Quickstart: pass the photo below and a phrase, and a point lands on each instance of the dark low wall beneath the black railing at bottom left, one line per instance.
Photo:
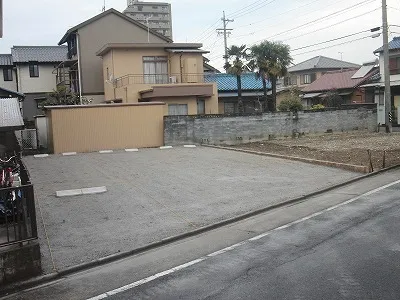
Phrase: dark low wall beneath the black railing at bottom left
(19, 263)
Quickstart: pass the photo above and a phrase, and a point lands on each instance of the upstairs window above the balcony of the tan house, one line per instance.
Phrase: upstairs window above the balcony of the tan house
(155, 69)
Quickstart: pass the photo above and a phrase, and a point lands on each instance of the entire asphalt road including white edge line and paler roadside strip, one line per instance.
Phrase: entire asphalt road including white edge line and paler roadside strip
(340, 245)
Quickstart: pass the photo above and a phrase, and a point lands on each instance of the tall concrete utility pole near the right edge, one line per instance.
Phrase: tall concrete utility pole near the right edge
(388, 97)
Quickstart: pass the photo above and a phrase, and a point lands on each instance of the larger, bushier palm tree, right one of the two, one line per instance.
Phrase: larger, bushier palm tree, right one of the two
(272, 60)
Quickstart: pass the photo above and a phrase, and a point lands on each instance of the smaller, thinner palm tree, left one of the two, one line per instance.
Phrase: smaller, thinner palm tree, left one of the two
(237, 65)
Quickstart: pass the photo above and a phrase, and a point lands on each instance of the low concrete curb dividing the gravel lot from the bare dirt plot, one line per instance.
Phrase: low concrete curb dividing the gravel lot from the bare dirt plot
(348, 167)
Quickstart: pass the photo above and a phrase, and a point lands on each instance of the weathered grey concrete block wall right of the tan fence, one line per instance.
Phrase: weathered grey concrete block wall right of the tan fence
(232, 130)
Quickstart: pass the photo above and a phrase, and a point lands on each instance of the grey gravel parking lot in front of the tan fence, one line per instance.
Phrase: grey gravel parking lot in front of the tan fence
(154, 194)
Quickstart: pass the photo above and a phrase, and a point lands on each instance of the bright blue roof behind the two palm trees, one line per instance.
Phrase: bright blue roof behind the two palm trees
(228, 82)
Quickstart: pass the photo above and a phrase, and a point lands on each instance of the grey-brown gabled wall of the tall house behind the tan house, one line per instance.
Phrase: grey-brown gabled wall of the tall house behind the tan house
(109, 29)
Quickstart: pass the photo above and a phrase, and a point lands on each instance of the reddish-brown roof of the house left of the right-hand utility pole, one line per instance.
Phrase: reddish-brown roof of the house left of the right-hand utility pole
(338, 80)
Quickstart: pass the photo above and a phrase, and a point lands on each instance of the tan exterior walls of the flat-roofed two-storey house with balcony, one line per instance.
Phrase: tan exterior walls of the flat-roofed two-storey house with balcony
(120, 62)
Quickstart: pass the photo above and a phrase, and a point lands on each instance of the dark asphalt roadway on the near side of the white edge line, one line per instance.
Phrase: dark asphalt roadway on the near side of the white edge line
(352, 252)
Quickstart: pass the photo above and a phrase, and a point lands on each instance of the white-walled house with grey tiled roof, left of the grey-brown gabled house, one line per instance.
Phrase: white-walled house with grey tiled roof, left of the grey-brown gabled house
(35, 78)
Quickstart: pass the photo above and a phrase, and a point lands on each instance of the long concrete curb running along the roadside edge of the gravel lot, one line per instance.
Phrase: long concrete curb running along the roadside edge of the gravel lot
(17, 287)
